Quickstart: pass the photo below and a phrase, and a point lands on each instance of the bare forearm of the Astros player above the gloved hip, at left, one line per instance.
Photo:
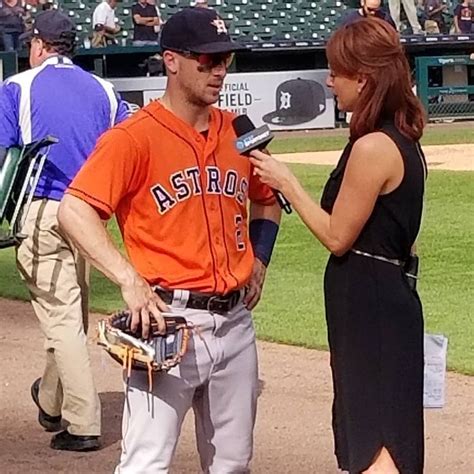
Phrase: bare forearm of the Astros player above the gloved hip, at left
(83, 226)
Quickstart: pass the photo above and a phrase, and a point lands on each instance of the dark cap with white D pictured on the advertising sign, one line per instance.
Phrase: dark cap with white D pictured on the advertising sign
(297, 101)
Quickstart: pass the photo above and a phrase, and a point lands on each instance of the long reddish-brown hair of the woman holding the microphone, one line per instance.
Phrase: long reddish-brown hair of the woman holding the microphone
(371, 48)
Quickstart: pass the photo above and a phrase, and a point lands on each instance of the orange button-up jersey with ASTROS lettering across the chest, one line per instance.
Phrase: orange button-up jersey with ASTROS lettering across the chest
(180, 199)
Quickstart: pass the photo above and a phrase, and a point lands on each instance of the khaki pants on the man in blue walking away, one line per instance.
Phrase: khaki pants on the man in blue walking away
(57, 278)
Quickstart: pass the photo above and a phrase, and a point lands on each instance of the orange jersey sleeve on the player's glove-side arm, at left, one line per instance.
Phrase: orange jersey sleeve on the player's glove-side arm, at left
(112, 171)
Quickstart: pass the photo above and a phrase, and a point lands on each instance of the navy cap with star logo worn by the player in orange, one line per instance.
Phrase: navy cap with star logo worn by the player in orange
(197, 30)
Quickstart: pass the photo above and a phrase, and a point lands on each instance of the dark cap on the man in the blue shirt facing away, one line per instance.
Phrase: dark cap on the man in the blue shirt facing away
(51, 25)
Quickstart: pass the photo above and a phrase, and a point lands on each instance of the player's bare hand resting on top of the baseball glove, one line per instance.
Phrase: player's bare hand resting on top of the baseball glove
(144, 304)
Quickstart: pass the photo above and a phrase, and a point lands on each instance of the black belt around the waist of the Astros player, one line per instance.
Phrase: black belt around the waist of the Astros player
(213, 303)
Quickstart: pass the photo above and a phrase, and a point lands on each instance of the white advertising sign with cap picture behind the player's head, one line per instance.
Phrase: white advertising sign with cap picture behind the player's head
(288, 100)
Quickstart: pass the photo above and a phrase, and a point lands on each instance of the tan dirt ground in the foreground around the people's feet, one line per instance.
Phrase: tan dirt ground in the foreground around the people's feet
(293, 432)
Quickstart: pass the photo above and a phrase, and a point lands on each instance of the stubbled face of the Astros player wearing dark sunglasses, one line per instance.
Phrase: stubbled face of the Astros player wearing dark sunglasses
(201, 76)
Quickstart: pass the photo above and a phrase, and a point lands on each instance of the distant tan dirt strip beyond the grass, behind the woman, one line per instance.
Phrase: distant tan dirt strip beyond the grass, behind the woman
(443, 157)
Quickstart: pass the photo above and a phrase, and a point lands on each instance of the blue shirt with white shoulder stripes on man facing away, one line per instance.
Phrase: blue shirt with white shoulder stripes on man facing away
(60, 99)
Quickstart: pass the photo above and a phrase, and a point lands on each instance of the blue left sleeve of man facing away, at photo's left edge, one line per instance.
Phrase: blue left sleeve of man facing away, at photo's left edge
(9, 119)
